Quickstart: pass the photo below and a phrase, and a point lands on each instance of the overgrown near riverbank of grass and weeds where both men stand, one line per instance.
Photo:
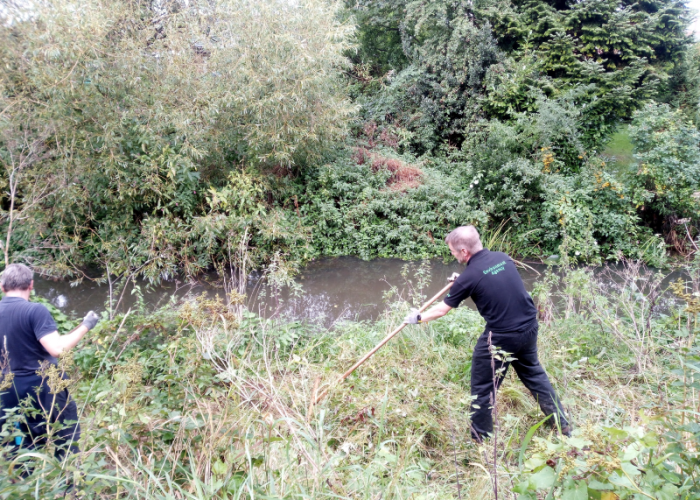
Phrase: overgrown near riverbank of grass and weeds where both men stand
(201, 400)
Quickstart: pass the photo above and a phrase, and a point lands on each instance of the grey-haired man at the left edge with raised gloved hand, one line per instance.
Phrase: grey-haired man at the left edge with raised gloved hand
(28, 338)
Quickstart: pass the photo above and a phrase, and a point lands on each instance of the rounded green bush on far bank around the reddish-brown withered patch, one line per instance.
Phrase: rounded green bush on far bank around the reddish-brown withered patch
(355, 209)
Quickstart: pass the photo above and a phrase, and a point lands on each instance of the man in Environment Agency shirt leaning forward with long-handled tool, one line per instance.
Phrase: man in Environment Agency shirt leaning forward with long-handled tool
(492, 281)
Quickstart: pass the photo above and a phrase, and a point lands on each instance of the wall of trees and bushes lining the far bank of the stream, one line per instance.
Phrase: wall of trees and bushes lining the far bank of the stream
(163, 138)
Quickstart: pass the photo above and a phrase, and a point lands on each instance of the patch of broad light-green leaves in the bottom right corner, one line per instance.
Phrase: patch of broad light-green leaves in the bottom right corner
(606, 463)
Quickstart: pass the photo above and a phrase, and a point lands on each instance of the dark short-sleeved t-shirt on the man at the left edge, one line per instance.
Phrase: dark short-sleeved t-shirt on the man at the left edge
(22, 324)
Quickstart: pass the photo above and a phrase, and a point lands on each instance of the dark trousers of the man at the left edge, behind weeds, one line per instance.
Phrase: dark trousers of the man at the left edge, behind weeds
(60, 407)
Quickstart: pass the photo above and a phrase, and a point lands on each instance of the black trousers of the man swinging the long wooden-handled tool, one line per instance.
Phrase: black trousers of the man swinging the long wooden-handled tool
(522, 347)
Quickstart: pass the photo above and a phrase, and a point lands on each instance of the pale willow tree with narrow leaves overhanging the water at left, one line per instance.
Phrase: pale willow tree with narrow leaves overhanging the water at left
(140, 109)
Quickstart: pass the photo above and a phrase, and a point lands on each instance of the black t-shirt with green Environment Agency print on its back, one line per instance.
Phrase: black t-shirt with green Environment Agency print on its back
(493, 283)
